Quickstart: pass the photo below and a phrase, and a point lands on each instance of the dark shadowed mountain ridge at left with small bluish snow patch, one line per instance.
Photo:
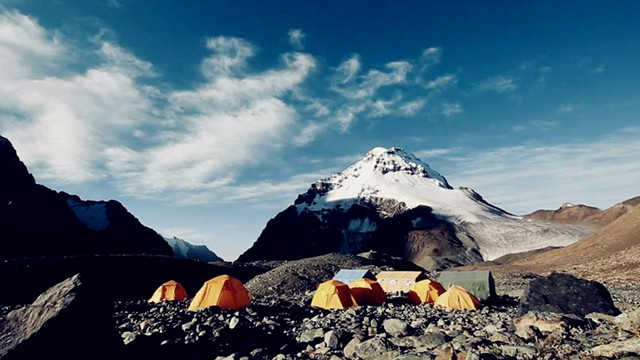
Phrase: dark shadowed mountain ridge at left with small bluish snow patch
(38, 221)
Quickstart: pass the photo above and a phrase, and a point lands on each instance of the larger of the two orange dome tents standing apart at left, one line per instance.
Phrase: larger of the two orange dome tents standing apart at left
(223, 291)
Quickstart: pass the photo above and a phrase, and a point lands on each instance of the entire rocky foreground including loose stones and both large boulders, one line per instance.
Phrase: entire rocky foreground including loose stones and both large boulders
(555, 317)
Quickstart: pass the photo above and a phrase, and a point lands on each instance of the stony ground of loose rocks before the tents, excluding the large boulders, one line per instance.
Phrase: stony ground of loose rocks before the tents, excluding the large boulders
(277, 327)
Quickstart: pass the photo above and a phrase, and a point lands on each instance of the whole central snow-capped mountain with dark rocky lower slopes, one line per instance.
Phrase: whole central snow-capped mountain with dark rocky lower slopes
(393, 202)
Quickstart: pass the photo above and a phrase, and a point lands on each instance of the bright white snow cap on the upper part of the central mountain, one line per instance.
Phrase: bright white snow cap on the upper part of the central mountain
(394, 175)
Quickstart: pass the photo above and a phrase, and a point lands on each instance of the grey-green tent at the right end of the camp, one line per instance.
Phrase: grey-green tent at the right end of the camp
(479, 282)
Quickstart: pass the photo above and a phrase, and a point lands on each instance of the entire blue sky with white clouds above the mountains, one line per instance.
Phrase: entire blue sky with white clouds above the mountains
(207, 118)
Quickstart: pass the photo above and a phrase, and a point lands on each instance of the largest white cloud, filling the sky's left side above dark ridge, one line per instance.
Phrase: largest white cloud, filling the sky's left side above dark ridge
(103, 125)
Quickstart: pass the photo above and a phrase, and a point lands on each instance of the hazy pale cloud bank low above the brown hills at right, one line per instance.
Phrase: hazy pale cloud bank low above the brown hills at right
(528, 177)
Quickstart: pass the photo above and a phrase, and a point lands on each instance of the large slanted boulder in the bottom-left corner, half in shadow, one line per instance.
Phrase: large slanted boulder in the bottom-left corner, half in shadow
(71, 320)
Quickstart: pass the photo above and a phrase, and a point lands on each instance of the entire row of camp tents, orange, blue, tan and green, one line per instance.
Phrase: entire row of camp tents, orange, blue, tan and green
(228, 292)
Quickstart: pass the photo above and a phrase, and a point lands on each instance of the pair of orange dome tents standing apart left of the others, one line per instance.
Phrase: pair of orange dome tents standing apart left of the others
(223, 291)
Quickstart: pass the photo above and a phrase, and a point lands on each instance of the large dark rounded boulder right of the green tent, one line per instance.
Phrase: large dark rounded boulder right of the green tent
(564, 293)
